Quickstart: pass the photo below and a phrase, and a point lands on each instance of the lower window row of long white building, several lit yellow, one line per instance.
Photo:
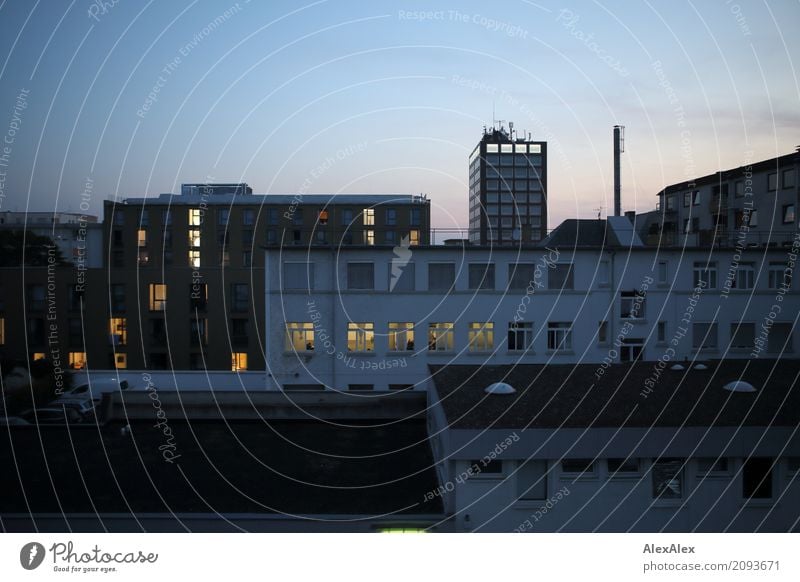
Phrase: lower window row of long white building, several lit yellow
(520, 337)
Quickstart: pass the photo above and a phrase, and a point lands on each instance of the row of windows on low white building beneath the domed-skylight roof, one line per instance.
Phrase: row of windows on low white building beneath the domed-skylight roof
(667, 476)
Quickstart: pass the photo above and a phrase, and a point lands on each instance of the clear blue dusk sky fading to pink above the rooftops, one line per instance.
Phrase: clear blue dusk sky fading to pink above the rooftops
(139, 97)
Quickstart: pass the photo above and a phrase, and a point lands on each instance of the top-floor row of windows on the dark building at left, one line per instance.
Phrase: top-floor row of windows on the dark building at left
(196, 216)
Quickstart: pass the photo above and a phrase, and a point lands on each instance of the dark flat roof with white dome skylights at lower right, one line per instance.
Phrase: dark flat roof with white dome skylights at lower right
(572, 396)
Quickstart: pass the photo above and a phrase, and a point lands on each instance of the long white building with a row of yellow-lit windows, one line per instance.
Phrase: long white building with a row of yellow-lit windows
(375, 319)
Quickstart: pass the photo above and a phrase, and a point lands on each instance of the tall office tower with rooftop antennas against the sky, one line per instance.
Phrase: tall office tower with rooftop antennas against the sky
(507, 190)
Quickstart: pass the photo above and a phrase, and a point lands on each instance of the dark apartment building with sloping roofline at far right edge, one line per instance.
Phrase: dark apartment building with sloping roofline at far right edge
(755, 204)
